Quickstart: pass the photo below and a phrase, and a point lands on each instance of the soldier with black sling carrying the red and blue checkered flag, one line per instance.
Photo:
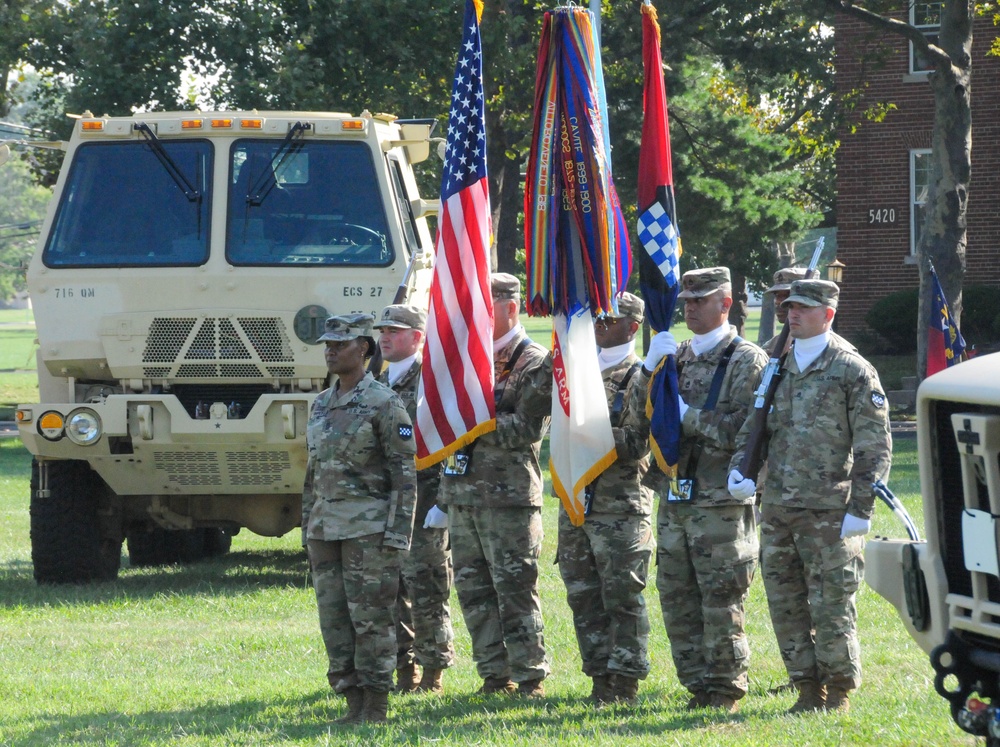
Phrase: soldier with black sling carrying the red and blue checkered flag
(707, 540)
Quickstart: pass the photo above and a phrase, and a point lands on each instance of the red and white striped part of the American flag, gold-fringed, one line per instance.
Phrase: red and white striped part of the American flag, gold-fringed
(455, 399)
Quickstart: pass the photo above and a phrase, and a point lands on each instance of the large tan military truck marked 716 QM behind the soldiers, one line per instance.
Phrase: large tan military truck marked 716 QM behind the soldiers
(182, 276)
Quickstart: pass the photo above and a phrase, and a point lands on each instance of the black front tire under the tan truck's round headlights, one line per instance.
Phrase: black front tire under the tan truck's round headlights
(69, 541)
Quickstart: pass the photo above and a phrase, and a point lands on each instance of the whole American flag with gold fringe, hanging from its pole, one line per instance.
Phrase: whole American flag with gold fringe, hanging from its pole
(455, 401)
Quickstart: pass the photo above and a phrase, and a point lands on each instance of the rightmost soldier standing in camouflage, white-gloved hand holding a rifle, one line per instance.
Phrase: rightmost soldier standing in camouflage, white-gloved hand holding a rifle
(827, 442)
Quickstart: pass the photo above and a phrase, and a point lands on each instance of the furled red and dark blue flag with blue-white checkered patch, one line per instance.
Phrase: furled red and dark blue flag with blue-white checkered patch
(658, 265)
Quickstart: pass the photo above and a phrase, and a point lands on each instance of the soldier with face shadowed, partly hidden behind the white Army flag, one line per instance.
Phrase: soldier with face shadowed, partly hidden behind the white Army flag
(604, 563)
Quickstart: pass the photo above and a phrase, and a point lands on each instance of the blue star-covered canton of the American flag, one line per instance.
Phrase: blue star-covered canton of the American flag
(465, 151)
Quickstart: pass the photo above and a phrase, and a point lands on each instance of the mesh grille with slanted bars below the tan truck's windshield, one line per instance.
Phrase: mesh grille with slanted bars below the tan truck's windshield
(216, 347)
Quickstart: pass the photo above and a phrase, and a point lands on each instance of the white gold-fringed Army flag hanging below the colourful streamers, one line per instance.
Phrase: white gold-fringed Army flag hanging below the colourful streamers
(581, 442)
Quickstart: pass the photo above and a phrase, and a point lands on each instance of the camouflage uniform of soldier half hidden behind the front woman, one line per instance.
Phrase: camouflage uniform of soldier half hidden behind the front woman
(423, 618)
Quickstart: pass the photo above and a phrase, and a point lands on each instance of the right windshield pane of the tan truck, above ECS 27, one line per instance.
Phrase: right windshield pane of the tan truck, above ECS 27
(323, 205)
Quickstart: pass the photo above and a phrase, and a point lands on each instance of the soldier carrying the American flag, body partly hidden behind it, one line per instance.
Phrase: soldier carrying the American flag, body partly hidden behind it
(493, 491)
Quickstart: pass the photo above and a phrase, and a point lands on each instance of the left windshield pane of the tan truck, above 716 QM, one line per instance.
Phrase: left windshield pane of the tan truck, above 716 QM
(122, 208)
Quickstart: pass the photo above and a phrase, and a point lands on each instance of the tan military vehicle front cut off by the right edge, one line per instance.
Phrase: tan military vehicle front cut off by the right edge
(947, 587)
